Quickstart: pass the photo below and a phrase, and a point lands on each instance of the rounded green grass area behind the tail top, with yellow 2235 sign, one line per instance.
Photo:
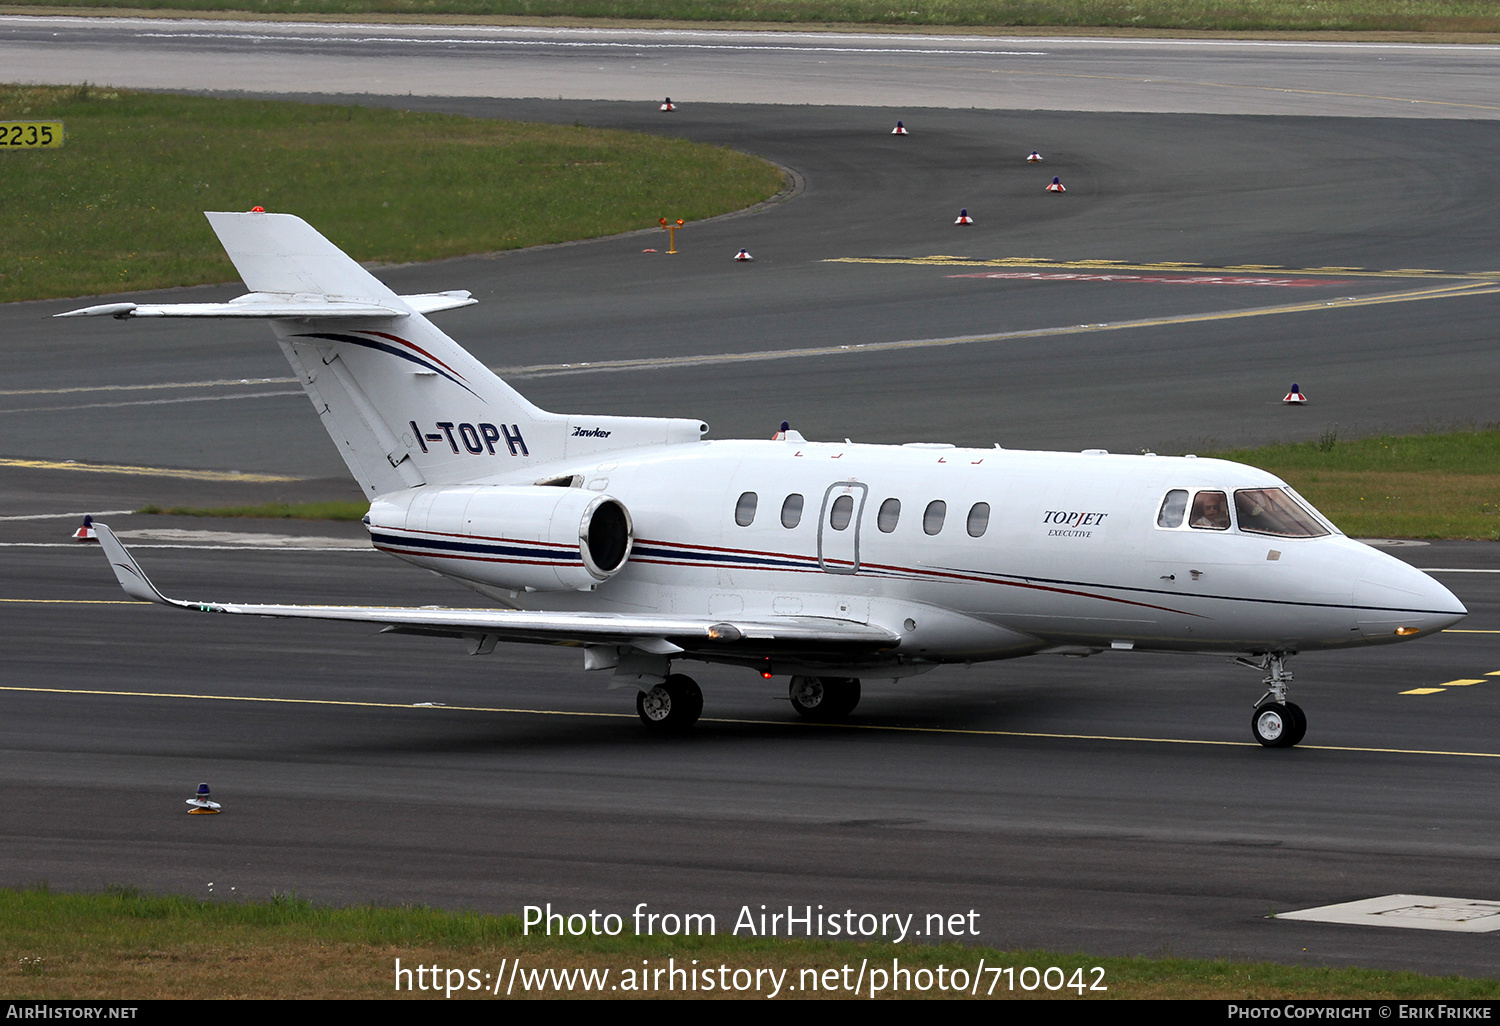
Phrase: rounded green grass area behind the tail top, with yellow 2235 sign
(121, 205)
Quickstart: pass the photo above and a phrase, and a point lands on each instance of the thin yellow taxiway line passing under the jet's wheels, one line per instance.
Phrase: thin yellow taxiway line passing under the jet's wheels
(773, 724)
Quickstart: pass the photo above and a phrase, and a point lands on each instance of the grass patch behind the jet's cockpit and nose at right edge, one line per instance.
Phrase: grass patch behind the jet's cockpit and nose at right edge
(1409, 487)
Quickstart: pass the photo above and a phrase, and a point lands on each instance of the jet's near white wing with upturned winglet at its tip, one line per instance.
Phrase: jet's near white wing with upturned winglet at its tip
(650, 634)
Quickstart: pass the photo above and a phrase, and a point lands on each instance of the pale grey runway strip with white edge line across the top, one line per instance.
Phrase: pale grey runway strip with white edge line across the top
(1030, 73)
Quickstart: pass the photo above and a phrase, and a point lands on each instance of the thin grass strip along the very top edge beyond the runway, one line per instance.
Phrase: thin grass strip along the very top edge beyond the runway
(1204, 16)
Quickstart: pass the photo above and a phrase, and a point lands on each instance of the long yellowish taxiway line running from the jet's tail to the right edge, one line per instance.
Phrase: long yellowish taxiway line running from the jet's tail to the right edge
(661, 364)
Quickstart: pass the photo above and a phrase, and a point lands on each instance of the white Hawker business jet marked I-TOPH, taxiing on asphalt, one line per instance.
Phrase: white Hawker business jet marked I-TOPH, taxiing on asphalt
(647, 547)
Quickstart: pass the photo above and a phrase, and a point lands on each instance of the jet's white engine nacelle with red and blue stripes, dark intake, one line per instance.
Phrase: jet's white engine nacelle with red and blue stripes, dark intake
(527, 538)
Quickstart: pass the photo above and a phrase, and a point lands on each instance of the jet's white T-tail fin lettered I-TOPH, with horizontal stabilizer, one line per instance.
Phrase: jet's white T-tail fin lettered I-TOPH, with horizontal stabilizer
(404, 403)
